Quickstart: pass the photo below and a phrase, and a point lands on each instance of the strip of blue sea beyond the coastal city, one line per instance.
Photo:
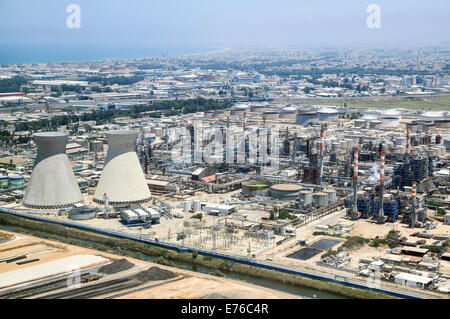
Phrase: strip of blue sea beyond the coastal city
(35, 53)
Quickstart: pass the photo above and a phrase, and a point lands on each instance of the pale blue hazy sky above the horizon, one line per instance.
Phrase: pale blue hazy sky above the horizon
(225, 23)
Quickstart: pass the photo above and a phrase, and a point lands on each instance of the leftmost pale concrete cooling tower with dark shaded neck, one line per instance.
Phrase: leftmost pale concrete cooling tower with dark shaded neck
(52, 183)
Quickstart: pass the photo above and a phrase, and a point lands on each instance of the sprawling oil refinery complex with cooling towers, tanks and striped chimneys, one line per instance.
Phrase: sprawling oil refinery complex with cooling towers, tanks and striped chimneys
(359, 196)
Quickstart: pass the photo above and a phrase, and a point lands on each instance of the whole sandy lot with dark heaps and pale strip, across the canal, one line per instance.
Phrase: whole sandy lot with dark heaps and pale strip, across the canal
(32, 267)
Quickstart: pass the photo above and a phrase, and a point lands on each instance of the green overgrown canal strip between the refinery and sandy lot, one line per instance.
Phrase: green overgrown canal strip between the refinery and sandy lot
(136, 250)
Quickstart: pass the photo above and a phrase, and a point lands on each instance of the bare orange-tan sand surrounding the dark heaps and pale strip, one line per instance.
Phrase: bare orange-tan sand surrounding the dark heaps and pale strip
(193, 285)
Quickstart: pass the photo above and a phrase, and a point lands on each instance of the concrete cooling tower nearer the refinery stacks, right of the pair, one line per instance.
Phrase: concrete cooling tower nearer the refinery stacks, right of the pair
(122, 179)
